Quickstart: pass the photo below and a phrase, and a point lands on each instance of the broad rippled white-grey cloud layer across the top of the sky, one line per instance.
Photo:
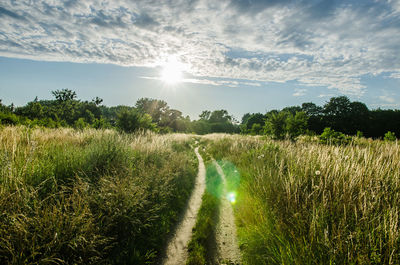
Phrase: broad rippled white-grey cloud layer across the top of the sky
(315, 43)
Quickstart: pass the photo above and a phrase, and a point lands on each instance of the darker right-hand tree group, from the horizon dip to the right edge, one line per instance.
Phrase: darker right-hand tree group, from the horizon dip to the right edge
(339, 114)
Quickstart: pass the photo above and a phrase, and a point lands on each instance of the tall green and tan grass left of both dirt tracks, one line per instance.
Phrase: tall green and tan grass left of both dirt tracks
(90, 197)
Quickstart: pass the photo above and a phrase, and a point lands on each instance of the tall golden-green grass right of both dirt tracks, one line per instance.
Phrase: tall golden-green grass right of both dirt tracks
(309, 203)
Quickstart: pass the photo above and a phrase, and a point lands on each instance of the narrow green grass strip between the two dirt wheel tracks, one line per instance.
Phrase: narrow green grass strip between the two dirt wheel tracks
(202, 244)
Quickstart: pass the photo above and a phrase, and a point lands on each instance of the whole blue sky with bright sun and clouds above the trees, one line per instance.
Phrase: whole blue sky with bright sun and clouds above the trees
(239, 55)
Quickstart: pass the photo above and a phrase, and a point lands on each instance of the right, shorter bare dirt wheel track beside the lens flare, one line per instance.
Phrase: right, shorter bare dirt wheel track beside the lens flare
(227, 246)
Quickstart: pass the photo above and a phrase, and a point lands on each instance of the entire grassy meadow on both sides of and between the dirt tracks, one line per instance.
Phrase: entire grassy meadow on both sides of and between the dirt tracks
(103, 197)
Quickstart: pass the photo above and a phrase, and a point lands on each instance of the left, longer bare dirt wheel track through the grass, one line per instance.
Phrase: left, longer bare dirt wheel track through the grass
(177, 246)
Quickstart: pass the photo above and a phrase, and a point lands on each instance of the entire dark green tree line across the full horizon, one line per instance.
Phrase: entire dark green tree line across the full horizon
(338, 114)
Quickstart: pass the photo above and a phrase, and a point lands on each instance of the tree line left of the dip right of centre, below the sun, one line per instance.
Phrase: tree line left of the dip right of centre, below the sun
(66, 110)
